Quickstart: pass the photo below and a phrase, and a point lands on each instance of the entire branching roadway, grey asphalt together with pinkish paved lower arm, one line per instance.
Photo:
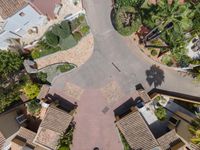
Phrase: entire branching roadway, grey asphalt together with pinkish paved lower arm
(116, 59)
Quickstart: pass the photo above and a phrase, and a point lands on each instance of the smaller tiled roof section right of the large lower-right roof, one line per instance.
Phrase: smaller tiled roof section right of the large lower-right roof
(167, 139)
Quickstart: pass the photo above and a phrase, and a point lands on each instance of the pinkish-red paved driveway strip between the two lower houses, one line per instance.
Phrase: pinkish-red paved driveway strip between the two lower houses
(94, 125)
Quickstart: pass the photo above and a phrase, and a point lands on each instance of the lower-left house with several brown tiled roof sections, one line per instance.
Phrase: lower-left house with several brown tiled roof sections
(14, 136)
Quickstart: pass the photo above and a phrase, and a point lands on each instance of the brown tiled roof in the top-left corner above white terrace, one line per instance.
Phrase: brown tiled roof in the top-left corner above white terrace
(10, 7)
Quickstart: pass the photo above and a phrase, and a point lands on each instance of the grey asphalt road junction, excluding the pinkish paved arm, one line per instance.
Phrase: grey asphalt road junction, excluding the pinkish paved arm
(116, 59)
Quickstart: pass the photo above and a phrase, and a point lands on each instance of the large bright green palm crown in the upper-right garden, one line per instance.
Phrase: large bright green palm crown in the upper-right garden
(180, 15)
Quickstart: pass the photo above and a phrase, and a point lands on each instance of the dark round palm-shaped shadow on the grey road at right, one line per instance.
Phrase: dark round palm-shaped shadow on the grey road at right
(155, 76)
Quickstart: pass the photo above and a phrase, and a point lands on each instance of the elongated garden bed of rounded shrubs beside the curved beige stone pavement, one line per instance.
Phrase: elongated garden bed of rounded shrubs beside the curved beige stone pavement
(61, 36)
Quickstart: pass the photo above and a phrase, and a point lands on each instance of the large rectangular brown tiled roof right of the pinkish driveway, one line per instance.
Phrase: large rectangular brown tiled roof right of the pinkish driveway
(136, 132)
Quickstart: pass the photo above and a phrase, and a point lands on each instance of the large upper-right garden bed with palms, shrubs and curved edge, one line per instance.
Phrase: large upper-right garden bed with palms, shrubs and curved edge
(168, 30)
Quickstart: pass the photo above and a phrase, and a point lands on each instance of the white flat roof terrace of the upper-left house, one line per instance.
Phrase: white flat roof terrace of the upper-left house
(19, 25)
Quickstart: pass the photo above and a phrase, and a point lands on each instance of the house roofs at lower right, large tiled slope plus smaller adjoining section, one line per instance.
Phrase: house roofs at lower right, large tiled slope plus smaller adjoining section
(138, 135)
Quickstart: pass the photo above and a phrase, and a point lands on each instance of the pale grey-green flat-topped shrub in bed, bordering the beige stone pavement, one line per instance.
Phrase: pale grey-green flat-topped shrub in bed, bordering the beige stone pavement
(67, 43)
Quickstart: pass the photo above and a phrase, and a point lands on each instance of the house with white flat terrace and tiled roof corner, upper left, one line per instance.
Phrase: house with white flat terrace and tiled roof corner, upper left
(18, 18)
